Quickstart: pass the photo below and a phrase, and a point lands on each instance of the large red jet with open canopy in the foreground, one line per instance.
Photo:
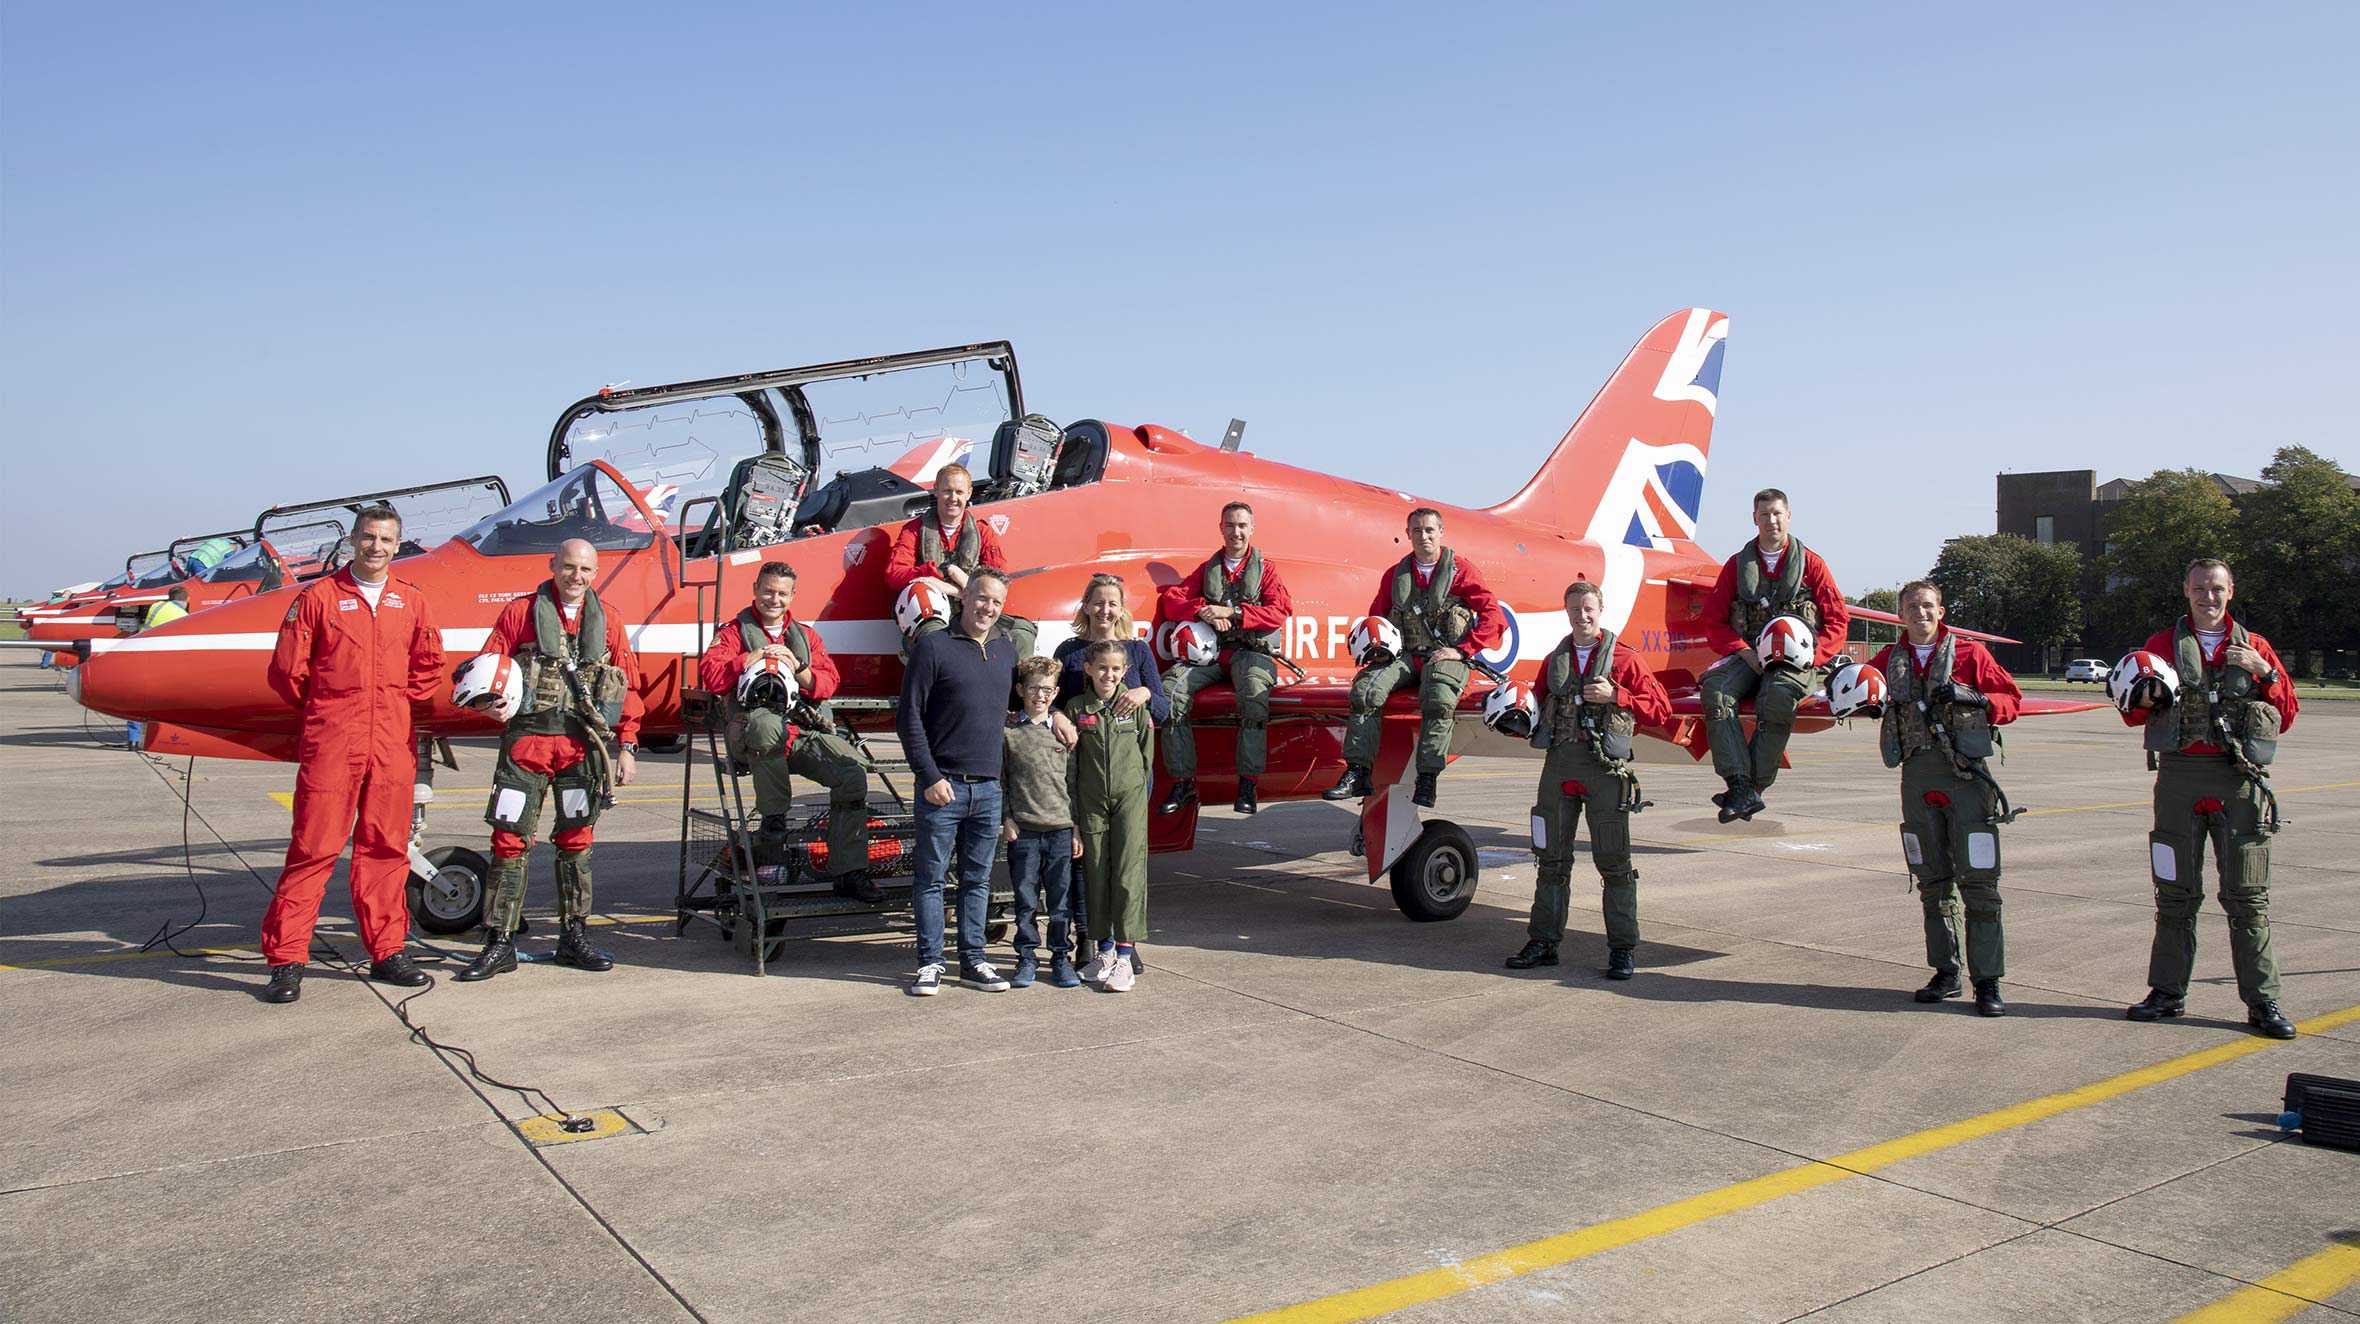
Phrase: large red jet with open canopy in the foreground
(796, 466)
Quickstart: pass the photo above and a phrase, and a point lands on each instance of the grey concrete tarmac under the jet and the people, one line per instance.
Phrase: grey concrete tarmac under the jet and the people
(1306, 1096)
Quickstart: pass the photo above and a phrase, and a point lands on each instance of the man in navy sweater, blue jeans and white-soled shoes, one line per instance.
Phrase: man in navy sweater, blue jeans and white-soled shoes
(955, 712)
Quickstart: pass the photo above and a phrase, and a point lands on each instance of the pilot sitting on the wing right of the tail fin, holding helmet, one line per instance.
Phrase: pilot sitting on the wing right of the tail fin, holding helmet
(1771, 577)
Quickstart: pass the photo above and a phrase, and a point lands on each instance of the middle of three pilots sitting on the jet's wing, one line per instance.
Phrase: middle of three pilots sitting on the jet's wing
(1445, 617)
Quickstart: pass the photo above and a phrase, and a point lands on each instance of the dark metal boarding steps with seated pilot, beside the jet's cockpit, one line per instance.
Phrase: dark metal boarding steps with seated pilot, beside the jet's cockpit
(754, 889)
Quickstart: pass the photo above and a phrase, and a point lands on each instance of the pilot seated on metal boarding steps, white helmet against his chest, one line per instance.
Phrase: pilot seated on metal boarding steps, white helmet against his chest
(801, 742)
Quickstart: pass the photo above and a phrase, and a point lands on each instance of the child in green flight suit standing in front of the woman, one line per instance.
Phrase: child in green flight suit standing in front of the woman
(1108, 780)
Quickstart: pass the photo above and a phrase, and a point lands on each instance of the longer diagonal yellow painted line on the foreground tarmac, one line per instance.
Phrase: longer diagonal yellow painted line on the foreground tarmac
(1585, 1243)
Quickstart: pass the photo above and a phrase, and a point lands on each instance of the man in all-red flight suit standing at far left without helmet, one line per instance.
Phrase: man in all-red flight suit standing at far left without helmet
(358, 655)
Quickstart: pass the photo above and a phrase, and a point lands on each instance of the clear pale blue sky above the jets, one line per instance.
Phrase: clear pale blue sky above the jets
(273, 256)
